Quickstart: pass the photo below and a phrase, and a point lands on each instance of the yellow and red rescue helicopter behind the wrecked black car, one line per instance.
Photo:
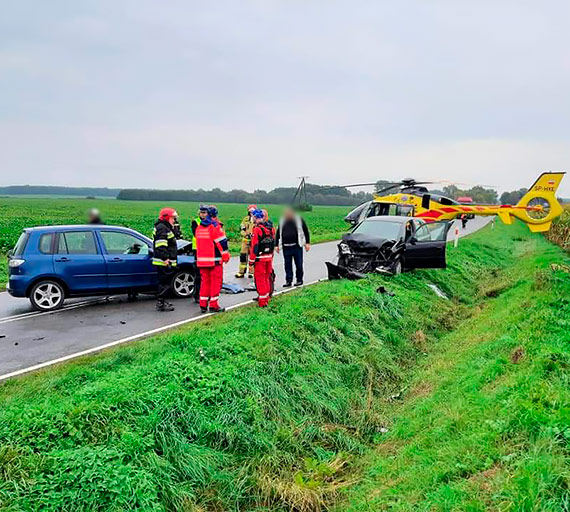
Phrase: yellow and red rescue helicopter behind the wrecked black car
(538, 207)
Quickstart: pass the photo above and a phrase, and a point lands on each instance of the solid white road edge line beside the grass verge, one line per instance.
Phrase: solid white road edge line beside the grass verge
(99, 348)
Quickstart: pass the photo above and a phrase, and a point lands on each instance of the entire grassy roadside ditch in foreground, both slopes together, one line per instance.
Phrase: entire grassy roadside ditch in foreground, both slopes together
(285, 409)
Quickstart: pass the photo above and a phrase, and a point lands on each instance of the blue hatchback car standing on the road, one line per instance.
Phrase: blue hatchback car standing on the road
(52, 263)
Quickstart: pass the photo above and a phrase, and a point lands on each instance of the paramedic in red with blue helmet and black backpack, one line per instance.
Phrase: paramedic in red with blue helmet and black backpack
(262, 247)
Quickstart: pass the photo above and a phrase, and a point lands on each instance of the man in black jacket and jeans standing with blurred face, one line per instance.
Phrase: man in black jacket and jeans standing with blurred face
(292, 237)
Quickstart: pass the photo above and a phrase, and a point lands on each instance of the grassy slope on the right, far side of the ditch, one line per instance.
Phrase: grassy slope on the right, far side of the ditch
(485, 423)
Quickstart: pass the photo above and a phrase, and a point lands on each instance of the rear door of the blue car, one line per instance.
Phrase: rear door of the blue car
(79, 262)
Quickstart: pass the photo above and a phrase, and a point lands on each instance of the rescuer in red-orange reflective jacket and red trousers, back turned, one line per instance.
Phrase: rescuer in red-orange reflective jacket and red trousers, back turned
(211, 253)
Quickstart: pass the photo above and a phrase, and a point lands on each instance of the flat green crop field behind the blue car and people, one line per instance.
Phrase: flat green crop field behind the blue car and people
(325, 222)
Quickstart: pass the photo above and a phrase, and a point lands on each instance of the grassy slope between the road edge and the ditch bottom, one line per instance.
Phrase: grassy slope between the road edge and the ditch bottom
(256, 410)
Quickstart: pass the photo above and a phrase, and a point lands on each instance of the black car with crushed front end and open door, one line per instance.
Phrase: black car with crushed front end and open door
(390, 245)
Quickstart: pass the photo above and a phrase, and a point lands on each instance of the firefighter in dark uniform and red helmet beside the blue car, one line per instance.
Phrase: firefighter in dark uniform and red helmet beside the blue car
(164, 255)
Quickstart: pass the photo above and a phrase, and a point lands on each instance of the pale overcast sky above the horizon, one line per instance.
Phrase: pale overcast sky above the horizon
(187, 94)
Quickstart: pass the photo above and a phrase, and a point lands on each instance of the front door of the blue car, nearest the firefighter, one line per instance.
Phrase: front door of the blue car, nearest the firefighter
(129, 262)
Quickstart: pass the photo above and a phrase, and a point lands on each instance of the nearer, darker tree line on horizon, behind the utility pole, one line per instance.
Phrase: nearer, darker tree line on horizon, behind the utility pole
(316, 194)
